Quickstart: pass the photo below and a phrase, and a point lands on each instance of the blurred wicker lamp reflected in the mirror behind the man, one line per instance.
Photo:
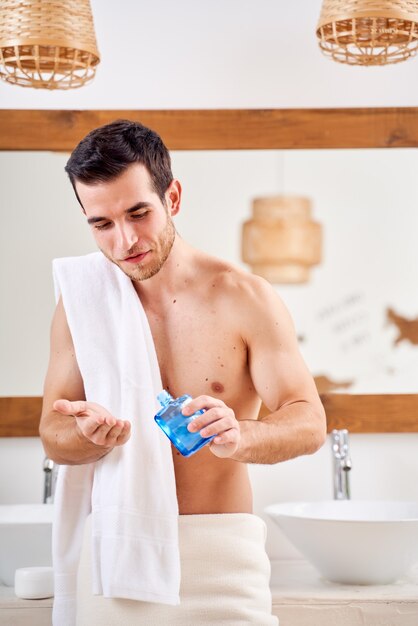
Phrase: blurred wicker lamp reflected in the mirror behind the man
(281, 242)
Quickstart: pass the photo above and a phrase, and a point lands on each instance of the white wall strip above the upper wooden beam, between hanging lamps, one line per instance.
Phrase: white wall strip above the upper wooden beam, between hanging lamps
(219, 53)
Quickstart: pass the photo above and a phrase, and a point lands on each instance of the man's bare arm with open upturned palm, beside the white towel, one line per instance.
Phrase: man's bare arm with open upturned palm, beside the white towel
(72, 430)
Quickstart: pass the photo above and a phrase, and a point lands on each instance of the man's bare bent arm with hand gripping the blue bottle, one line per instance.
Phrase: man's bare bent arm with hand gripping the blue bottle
(296, 424)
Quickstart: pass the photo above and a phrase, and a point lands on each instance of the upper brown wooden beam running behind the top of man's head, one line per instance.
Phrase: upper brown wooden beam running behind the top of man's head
(221, 129)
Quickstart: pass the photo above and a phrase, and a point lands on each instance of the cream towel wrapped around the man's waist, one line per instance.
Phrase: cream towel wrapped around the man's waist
(225, 579)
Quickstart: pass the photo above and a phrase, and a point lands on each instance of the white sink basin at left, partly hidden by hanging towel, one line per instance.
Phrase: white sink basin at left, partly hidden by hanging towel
(25, 538)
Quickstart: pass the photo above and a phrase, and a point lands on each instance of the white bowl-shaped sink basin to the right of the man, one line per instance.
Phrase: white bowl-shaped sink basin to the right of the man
(352, 542)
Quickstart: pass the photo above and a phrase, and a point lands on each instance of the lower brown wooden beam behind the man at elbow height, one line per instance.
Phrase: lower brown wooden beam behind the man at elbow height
(379, 413)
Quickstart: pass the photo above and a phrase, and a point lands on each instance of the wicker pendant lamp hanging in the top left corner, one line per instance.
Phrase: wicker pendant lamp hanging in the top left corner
(47, 44)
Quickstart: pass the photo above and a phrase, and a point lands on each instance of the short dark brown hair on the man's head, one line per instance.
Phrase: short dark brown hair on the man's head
(107, 151)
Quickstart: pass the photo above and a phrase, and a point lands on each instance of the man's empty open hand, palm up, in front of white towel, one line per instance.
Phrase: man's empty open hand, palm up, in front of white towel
(96, 423)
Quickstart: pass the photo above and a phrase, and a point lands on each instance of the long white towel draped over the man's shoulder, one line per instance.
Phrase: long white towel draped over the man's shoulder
(130, 492)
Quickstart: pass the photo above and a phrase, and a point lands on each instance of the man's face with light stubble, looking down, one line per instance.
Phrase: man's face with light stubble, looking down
(130, 224)
